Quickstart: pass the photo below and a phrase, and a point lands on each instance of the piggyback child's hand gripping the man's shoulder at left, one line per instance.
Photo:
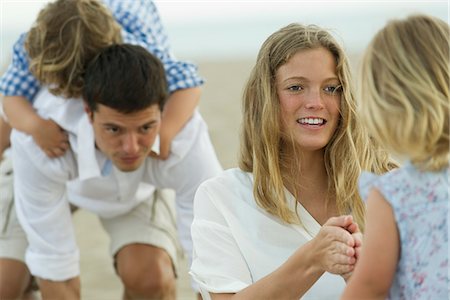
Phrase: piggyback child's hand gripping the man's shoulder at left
(51, 138)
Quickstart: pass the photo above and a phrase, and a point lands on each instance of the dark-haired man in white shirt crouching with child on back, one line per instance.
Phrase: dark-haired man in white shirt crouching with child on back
(108, 171)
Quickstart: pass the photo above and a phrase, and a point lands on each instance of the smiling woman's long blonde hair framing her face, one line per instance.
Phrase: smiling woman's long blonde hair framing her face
(262, 148)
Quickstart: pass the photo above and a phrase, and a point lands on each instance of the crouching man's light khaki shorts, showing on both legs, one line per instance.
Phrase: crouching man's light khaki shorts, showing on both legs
(151, 222)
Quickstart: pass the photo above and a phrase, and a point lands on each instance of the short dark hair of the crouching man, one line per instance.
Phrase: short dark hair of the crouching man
(126, 78)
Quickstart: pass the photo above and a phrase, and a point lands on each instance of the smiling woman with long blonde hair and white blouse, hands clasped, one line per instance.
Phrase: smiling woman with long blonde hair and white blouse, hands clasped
(285, 225)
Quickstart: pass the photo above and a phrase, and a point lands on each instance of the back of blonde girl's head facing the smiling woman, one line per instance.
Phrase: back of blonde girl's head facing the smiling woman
(405, 89)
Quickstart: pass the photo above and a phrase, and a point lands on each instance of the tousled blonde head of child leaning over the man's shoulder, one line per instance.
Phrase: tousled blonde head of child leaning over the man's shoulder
(65, 37)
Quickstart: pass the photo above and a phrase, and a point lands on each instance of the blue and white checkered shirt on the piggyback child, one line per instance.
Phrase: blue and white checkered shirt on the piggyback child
(141, 25)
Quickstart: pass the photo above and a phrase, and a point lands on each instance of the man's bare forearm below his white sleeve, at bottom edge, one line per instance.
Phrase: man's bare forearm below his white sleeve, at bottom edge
(69, 289)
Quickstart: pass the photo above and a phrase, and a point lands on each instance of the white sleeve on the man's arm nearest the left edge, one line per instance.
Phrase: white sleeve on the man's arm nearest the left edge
(43, 210)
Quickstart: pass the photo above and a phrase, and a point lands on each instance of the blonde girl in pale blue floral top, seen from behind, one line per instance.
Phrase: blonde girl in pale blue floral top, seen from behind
(405, 104)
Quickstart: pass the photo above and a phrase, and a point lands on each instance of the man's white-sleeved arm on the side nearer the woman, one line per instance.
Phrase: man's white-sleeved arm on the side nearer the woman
(192, 161)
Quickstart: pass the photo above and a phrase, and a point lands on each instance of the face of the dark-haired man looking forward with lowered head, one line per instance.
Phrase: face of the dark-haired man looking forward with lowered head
(126, 139)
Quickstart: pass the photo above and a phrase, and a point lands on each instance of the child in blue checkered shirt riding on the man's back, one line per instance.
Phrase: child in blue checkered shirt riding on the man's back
(134, 22)
